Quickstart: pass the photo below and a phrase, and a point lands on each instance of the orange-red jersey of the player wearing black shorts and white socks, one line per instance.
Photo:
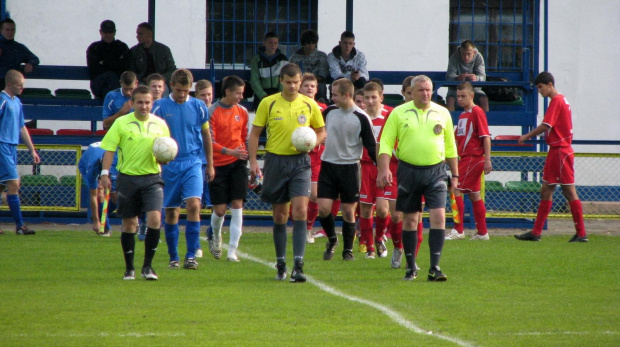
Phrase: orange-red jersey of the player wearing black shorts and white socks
(229, 128)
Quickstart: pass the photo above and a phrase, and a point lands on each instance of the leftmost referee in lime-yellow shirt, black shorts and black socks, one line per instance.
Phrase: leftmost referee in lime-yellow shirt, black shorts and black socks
(138, 184)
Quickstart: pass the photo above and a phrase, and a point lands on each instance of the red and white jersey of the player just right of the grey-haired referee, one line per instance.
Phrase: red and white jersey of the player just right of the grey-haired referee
(471, 131)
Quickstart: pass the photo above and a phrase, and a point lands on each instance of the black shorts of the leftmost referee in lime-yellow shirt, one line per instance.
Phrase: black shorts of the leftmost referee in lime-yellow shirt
(138, 194)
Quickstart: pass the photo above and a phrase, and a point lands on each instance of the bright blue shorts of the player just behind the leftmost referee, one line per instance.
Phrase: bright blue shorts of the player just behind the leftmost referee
(182, 180)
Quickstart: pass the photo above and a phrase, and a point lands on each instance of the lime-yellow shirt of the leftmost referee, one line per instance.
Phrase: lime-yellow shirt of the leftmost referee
(134, 140)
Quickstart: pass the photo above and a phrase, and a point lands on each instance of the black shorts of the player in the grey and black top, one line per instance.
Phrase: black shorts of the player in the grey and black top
(343, 180)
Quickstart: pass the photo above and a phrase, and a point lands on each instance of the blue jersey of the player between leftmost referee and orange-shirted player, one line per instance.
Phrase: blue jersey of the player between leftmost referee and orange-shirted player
(185, 122)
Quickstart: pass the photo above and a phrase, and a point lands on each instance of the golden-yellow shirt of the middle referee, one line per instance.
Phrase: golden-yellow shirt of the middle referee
(282, 118)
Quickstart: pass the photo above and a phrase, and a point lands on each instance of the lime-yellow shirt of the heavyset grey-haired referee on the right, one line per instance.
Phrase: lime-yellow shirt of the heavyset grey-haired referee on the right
(424, 137)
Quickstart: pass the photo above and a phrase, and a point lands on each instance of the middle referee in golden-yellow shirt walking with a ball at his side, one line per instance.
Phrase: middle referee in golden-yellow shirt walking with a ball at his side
(287, 171)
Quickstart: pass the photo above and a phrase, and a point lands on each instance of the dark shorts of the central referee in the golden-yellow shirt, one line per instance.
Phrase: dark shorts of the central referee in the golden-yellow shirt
(285, 177)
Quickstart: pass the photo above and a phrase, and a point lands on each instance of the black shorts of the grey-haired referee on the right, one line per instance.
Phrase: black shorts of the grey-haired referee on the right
(417, 181)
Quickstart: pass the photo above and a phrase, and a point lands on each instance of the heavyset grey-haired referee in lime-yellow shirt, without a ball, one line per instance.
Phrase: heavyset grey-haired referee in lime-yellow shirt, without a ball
(425, 136)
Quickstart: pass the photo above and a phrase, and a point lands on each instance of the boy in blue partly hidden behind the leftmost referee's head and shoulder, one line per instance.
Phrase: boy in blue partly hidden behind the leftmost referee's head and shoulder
(118, 102)
